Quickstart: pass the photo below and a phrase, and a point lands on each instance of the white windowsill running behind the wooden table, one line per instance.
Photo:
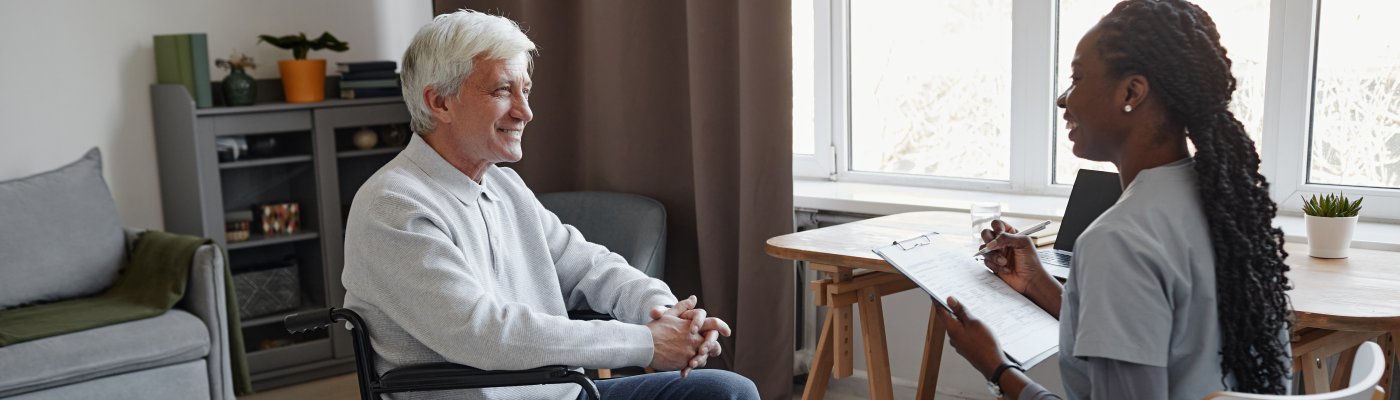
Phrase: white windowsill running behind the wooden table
(888, 199)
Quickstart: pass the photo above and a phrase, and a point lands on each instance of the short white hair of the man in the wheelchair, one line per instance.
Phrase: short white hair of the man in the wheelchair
(444, 52)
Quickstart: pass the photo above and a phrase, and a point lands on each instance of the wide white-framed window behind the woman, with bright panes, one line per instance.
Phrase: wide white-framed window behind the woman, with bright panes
(960, 94)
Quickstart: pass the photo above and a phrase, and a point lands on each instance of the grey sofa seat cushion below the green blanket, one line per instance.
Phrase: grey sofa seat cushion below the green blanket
(173, 338)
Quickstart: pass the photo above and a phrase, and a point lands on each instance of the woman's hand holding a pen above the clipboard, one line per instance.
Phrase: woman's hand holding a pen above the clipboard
(1014, 259)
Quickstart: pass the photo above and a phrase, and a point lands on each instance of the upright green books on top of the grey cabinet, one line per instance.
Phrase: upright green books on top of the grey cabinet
(184, 59)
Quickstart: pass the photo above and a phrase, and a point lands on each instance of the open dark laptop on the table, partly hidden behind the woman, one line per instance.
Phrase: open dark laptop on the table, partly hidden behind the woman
(1094, 192)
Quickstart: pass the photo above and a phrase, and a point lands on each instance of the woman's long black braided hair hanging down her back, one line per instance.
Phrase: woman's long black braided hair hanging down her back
(1175, 45)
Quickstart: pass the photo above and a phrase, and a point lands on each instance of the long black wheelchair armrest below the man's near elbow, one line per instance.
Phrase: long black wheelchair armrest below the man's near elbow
(446, 376)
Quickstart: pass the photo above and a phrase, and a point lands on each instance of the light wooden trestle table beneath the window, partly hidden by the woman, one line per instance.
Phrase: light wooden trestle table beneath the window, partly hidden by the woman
(1357, 297)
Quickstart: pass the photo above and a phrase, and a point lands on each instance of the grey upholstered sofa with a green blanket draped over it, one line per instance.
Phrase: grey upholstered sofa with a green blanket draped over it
(61, 238)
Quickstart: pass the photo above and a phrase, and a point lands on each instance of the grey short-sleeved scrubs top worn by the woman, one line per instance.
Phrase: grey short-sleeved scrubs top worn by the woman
(1142, 296)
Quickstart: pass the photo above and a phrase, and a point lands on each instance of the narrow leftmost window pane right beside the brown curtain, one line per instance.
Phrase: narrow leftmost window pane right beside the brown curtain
(804, 120)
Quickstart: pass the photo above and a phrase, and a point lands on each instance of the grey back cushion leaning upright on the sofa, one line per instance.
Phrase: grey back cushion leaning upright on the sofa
(59, 234)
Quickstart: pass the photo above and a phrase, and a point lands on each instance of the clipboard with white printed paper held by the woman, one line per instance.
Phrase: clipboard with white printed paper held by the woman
(941, 268)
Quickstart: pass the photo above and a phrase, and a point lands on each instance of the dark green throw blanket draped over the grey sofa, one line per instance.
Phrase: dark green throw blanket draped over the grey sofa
(152, 283)
